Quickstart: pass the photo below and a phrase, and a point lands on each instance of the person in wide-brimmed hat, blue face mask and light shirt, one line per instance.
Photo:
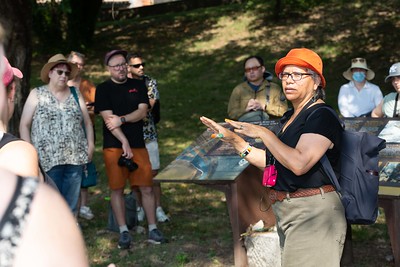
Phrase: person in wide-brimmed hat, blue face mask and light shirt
(358, 97)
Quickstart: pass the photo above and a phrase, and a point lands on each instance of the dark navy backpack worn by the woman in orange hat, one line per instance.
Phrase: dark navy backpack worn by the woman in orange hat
(358, 184)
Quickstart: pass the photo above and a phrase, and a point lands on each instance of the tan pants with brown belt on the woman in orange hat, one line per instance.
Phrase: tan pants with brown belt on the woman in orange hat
(311, 230)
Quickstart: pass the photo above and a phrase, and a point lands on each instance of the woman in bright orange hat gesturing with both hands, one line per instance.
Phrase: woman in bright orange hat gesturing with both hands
(309, 214)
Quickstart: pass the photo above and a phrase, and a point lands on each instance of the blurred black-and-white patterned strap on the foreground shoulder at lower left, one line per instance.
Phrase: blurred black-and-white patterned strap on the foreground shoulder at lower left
(14, 219)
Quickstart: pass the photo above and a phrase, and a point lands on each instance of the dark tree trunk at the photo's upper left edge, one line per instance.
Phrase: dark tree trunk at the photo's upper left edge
(16, 20)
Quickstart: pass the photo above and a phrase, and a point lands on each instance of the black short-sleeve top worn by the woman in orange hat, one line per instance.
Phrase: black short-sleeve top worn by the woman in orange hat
(322, 122)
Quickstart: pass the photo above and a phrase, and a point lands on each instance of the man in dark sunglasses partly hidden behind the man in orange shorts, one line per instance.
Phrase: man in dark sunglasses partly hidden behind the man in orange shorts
(136, 71)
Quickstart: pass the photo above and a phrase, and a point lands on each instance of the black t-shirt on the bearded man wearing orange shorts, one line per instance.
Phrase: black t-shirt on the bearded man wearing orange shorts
(122, 99)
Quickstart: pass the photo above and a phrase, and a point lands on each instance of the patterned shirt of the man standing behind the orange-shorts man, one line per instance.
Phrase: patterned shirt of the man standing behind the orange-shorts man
(149, 127)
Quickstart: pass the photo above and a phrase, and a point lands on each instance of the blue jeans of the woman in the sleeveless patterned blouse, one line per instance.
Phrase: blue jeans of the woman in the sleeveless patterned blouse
(68, 179)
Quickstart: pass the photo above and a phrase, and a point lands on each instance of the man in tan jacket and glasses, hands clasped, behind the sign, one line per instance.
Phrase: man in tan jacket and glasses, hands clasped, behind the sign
(257, 98)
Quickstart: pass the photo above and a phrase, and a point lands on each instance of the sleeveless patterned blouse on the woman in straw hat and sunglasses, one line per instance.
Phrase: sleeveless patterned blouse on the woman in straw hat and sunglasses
(57, 131)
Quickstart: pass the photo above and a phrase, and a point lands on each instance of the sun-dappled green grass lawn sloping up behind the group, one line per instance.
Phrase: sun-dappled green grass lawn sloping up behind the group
(196, 57)
